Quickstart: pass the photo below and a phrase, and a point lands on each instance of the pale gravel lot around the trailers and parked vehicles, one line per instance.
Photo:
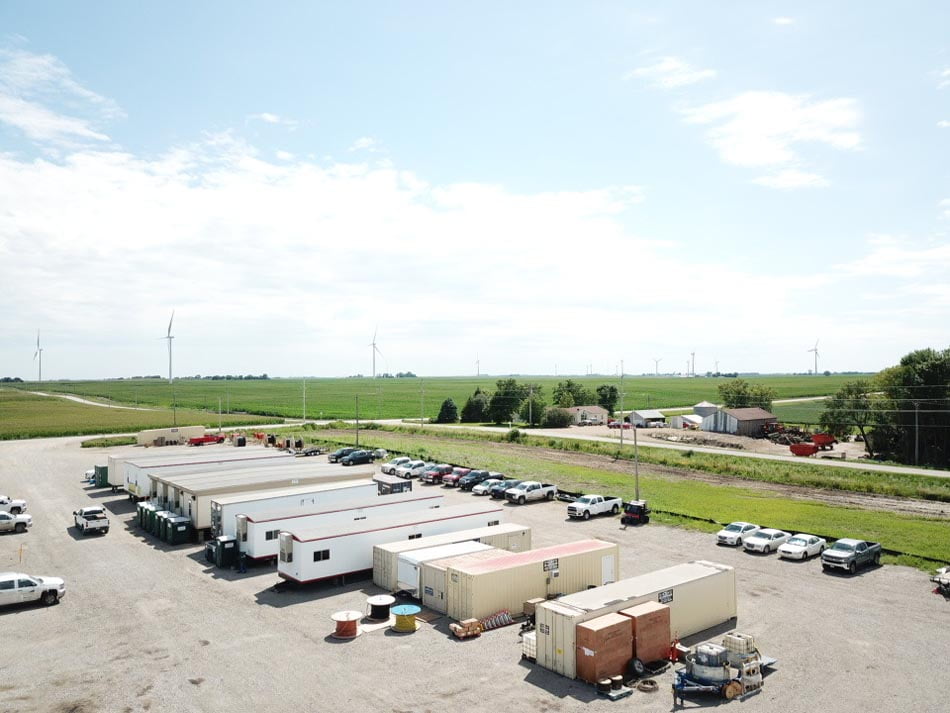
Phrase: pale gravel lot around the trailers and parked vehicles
(148, 627)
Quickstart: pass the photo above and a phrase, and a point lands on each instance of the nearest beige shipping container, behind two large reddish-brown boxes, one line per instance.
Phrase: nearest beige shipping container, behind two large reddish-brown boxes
(699, 595)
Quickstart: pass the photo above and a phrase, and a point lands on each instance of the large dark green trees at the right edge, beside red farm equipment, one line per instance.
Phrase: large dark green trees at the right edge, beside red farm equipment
(902, 413)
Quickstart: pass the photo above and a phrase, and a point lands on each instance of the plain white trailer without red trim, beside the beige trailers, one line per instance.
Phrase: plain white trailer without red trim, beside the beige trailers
(224, 508)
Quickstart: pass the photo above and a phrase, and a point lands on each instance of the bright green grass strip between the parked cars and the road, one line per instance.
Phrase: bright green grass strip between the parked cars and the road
(915, 536)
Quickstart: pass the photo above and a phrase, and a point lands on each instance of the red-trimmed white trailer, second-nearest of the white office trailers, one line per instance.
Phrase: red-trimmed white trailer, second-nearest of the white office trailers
(257, 534)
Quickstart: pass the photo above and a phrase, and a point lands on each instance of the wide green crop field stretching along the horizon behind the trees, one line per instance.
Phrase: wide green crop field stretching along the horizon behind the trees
(401, 398)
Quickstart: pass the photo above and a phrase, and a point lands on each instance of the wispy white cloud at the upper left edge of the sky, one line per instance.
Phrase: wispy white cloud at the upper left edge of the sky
(40, 97)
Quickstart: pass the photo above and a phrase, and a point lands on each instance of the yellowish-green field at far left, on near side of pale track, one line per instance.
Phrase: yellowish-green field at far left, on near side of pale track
(24, 415)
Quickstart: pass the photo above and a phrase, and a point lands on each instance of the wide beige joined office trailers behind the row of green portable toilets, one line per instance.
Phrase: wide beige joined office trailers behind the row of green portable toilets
(191, 495)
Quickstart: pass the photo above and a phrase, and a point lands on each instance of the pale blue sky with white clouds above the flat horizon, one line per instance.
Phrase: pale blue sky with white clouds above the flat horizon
(540, 188)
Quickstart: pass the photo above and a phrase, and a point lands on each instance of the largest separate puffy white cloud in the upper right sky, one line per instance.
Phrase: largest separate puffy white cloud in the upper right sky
(766, 129)
